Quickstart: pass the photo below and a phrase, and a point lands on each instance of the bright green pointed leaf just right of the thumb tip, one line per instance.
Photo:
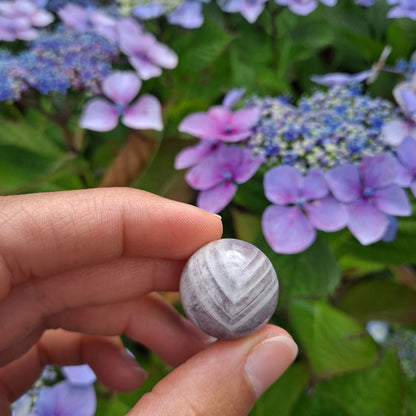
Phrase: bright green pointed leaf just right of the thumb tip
(334, 342)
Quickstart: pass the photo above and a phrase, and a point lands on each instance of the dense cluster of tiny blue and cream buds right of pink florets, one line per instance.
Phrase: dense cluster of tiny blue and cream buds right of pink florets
(324, 130)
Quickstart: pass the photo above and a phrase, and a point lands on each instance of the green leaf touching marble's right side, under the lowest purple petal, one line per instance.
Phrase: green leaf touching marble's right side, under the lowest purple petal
(314, 272)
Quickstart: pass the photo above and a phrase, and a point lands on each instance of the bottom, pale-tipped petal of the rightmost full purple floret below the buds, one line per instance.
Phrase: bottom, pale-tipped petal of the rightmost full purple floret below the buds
(366, 222)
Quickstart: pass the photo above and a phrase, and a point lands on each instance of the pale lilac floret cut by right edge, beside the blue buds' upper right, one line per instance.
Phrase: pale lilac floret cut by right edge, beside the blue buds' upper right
(396, 130)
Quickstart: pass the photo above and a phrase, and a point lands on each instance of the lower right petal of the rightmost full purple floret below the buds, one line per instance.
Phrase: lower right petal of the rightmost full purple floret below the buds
(392, 200)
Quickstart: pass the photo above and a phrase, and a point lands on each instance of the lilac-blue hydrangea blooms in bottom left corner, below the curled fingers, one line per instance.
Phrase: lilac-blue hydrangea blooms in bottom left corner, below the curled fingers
(75, 395)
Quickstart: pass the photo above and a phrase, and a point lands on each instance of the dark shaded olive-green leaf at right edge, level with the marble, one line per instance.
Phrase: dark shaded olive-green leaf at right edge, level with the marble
(380, 299)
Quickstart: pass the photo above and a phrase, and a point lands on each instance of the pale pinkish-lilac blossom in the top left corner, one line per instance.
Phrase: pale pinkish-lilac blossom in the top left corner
(20, 18)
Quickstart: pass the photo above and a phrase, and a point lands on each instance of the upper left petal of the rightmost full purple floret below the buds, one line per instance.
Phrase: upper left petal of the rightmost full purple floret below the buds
(344, 182)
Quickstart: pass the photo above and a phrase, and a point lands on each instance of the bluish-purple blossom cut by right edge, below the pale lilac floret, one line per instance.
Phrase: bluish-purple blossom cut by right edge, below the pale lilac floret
(406, 155)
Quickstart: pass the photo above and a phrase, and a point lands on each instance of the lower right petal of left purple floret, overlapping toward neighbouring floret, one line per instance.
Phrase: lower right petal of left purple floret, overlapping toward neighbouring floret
(327, 214)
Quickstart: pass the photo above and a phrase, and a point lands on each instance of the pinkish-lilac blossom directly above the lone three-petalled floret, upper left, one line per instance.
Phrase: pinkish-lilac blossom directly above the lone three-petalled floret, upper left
(144, 52)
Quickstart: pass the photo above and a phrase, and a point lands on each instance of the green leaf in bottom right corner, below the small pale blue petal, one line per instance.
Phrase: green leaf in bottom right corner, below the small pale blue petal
(376, 391)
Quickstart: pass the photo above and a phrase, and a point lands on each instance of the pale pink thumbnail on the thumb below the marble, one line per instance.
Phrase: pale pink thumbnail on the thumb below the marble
(268, 361)
